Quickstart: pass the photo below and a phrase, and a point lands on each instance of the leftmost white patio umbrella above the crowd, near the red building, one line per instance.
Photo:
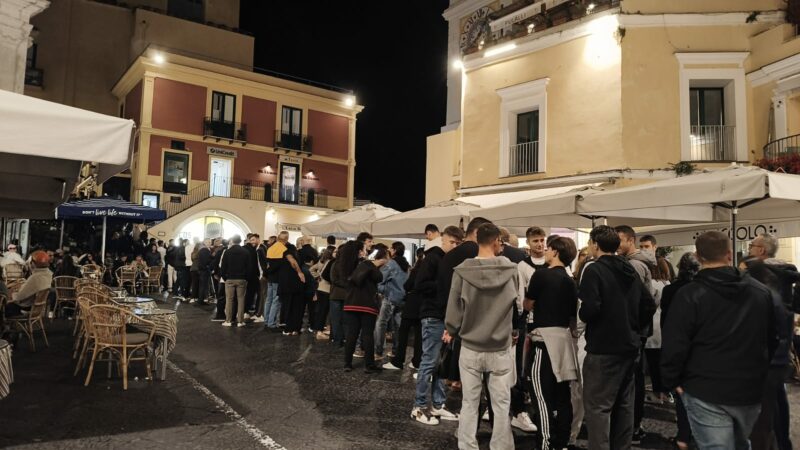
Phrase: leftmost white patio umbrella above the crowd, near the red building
(348, 223)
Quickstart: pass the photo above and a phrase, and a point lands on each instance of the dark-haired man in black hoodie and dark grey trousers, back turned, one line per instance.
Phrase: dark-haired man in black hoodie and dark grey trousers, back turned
(615, 307)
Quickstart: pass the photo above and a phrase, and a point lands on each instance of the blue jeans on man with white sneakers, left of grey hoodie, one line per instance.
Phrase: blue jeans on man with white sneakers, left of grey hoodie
(432, 331)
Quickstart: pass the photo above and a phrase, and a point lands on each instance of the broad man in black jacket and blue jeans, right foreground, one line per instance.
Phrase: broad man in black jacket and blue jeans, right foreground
(717, 345)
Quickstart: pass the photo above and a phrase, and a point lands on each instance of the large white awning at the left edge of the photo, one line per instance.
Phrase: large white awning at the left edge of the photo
(42, 147)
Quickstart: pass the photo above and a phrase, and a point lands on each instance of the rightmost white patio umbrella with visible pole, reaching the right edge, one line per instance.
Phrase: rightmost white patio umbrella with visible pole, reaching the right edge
(727, 195)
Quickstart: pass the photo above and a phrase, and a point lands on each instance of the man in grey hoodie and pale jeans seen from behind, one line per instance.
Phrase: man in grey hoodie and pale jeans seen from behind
(480, 311)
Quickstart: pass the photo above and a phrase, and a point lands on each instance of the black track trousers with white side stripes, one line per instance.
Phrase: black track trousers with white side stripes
(553, 401)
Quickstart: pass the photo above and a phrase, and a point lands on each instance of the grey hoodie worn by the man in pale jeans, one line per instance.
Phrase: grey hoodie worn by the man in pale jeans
(481, 305)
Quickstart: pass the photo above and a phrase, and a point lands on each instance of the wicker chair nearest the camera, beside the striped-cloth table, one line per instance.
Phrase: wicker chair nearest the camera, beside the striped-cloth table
(109, 329)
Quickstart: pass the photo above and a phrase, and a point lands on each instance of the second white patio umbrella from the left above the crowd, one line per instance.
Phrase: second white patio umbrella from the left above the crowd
(412, 223)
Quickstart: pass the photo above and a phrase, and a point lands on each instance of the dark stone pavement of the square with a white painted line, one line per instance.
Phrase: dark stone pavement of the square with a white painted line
(236, 388)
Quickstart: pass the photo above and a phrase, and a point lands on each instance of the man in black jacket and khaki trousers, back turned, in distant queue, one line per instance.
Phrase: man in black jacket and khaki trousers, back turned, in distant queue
(234, 269)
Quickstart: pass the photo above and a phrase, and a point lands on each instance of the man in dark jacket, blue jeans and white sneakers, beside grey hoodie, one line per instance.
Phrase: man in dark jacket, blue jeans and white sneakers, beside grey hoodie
(432, 313)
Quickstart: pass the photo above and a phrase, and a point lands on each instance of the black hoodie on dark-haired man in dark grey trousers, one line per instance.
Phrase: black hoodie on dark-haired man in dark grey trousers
(615, 306)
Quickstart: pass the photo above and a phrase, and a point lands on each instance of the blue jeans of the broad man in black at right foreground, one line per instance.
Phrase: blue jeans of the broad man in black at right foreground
(720, 426)
